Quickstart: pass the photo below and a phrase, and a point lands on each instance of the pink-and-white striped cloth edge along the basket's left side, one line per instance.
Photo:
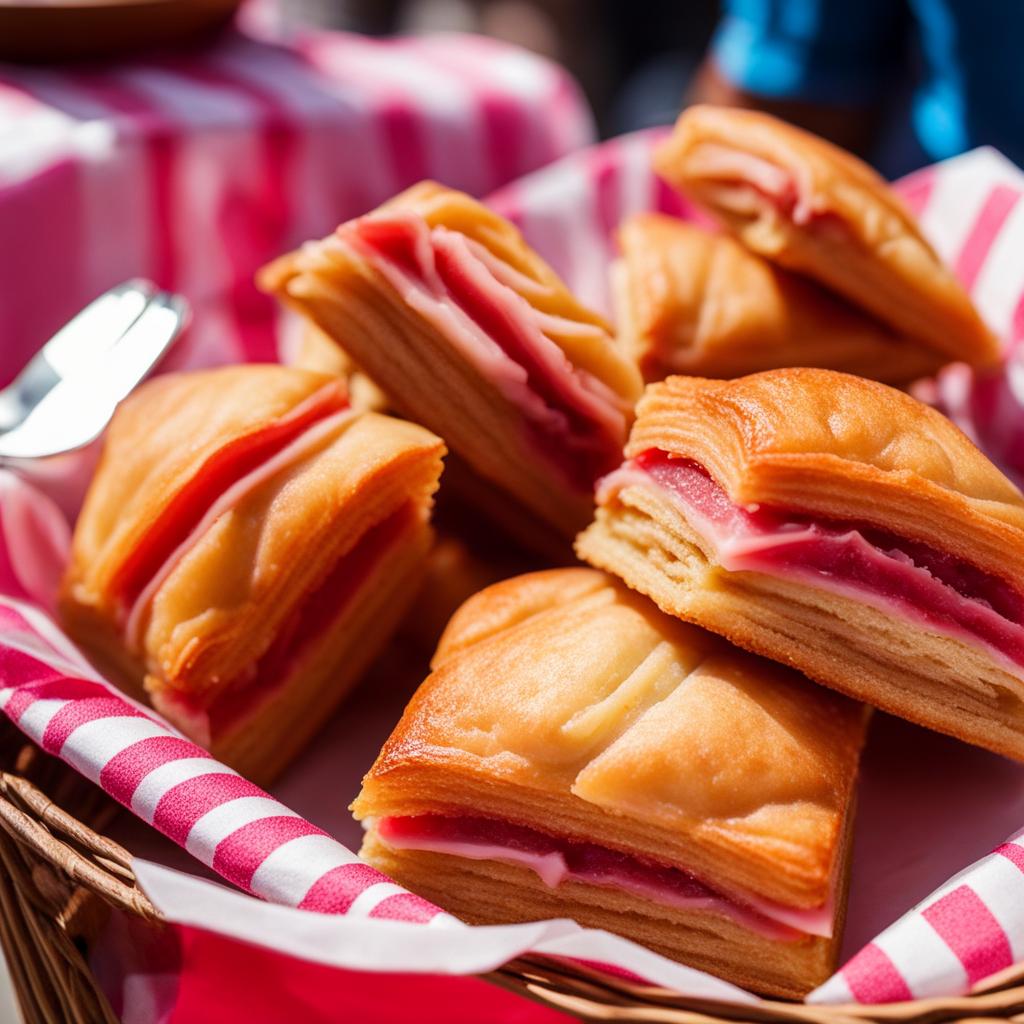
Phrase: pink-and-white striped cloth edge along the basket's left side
(59, 701)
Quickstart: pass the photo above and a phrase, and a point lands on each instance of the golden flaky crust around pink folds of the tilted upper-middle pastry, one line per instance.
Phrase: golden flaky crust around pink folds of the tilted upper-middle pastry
(503, 429)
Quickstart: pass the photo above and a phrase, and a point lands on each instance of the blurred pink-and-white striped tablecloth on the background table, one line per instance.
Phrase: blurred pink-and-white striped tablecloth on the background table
(196, 170)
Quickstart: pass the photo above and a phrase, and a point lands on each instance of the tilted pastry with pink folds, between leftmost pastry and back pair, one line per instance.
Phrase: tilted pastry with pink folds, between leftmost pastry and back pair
(468, 332)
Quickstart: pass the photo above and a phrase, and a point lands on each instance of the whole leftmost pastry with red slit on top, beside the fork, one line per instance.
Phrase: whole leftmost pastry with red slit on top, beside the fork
(246, 547)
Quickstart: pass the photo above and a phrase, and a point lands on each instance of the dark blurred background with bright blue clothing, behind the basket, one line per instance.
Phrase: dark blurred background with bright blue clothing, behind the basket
(904, 83)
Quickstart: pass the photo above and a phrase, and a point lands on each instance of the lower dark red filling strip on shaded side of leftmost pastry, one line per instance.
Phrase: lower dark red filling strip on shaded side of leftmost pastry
(309, 624)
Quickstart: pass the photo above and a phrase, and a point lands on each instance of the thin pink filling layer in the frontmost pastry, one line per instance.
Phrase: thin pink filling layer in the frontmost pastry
(556, 861)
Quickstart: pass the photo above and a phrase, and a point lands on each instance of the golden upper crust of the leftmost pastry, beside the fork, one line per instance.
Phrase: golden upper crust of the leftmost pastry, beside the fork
(224, 601)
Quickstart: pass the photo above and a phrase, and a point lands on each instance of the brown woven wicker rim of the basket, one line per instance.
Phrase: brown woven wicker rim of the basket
(103, 868)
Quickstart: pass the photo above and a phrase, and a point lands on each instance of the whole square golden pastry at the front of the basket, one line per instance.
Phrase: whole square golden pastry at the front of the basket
(576, 753)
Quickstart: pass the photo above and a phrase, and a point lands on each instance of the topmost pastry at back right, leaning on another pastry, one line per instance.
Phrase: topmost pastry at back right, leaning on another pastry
(816, 209)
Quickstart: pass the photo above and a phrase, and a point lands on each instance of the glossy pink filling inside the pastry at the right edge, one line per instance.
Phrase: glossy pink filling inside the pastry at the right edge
(932, 588)
